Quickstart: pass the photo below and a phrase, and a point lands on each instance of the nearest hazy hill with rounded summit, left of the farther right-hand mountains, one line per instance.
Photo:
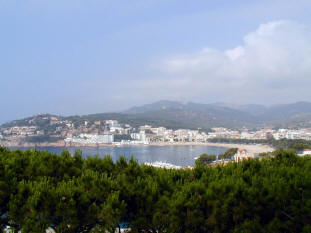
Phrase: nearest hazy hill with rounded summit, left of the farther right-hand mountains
(194, 114)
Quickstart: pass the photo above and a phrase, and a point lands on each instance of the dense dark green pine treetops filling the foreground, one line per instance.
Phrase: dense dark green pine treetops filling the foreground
(71, 194)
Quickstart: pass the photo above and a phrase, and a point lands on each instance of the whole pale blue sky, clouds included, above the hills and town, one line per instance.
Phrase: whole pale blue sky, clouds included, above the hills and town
(91, 56)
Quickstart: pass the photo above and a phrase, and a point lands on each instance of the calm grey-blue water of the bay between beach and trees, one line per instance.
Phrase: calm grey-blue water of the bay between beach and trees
(177, 155)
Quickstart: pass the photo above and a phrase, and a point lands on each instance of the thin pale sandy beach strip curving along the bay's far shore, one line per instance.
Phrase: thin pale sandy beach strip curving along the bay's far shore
(251, 148)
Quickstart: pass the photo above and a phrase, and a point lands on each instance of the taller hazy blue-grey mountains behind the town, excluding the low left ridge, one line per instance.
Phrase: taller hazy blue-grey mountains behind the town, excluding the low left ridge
(228, 115)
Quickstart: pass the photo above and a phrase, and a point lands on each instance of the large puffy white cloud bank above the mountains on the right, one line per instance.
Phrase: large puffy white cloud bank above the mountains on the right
(273, 63)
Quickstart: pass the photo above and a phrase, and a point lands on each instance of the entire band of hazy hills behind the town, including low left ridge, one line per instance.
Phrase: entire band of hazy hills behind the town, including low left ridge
(175, 114)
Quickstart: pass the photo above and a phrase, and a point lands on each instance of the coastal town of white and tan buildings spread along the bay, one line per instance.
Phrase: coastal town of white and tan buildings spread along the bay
(66, 132)
